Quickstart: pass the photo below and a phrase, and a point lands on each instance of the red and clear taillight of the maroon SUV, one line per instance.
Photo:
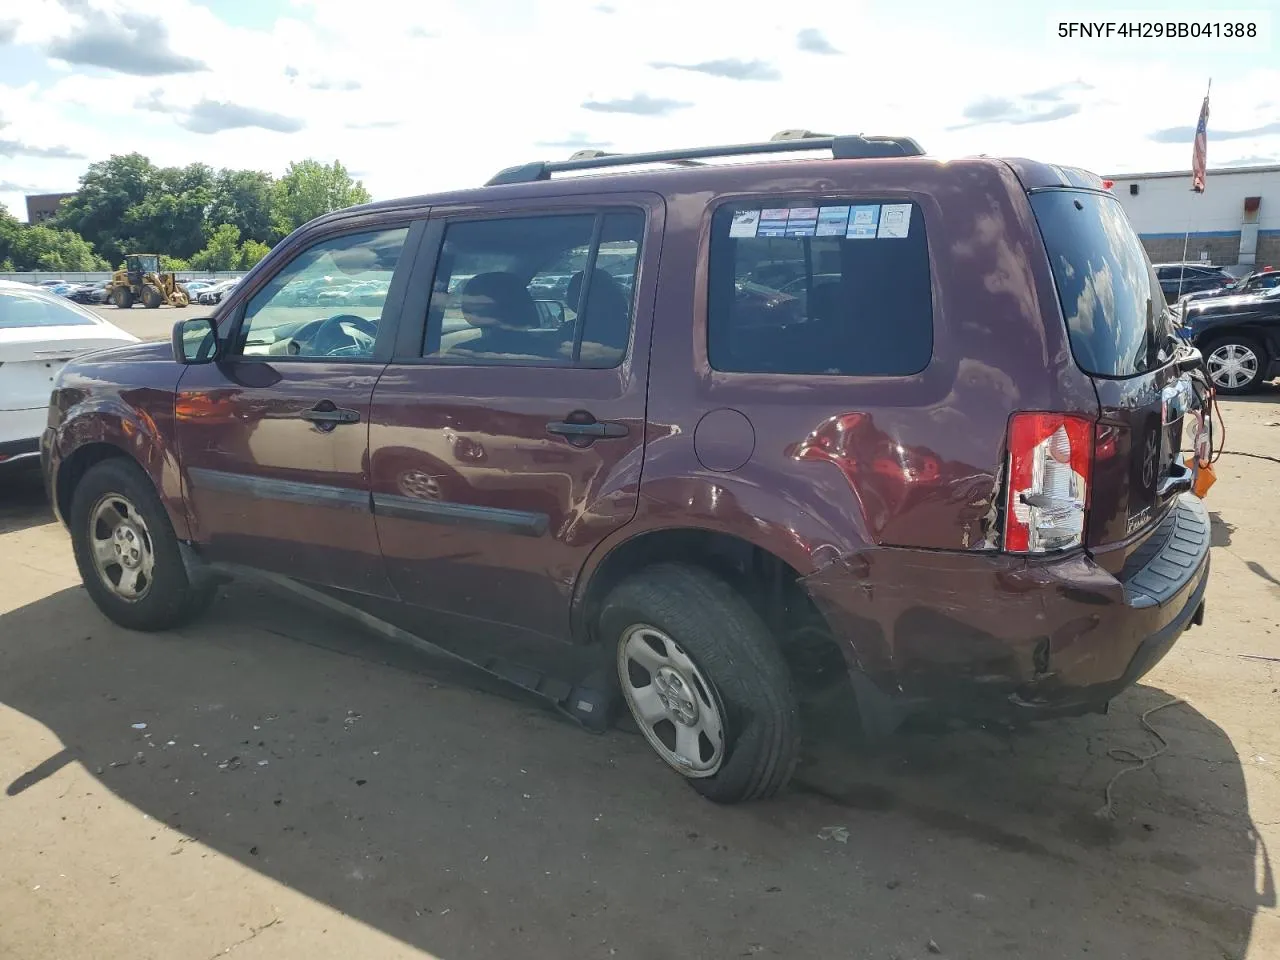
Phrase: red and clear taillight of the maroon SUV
(1050, 470)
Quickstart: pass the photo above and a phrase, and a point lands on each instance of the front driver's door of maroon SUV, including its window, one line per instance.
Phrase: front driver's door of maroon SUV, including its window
(275, 438)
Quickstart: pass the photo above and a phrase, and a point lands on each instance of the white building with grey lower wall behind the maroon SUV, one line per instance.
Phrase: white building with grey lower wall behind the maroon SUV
(1235, 223)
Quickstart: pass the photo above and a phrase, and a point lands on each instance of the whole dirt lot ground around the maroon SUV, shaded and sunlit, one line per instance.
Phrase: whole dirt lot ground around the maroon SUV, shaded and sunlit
(304, 790)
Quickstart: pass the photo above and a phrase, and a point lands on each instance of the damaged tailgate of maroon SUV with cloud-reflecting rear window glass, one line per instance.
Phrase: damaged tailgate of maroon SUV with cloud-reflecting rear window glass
(1123, 339)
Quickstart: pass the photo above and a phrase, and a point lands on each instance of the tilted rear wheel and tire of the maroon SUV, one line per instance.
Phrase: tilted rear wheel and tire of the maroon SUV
(726, 666)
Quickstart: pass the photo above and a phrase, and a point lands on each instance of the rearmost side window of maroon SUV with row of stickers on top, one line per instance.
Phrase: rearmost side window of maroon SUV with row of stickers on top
(824, 287)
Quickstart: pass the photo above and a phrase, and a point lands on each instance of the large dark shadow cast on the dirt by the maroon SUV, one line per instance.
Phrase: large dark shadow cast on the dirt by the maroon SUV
(369, 779)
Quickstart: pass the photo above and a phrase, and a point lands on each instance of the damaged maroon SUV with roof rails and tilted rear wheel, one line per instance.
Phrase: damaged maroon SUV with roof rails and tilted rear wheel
(700, 438)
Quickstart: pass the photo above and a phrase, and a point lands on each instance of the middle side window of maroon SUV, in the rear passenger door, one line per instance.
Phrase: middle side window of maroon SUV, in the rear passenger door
(541, 291)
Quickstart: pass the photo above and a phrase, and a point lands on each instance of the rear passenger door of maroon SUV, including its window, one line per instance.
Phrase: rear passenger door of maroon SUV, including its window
(508, 440)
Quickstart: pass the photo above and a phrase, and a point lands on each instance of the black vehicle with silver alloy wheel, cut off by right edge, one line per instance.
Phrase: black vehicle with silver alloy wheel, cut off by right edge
(1240, 339)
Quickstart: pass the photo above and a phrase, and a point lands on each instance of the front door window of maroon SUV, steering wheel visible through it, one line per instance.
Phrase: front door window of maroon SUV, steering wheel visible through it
(327, 303)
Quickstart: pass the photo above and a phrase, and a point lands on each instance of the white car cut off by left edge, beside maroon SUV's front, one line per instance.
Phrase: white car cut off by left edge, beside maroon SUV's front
(39, 333)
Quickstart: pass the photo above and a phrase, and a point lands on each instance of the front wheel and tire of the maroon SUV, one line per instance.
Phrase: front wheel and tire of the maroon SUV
(164, 596)
